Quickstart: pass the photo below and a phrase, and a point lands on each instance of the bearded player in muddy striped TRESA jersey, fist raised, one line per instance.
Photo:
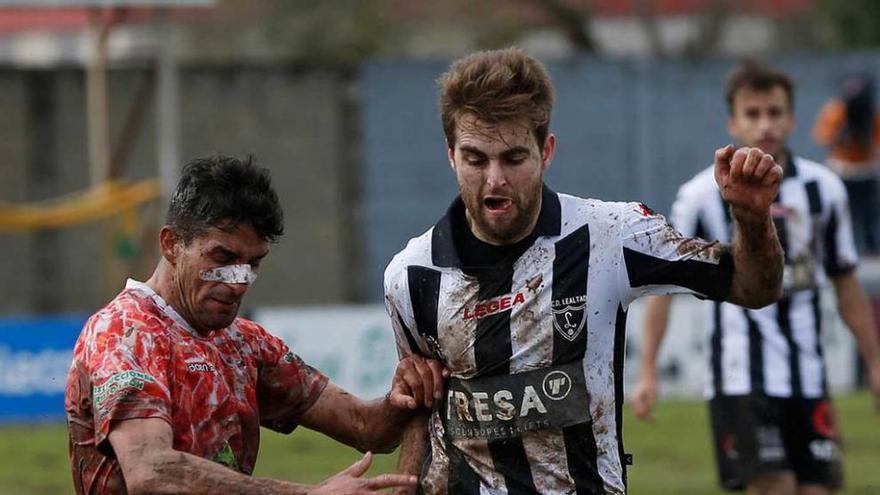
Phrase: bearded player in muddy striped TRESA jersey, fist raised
(522, 292)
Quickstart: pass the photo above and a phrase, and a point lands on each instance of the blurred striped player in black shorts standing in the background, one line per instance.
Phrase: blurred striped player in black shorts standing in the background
(774, 430)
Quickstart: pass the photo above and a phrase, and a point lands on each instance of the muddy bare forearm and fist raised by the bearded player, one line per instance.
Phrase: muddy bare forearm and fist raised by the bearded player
(749, 181)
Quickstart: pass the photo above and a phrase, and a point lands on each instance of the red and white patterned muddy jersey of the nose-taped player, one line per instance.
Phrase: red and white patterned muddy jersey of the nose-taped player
(137, 358)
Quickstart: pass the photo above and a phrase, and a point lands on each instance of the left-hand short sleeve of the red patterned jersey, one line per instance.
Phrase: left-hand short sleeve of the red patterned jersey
(128, 370)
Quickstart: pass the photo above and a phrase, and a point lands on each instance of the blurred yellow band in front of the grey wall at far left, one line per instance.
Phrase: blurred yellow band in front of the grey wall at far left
(101, 201)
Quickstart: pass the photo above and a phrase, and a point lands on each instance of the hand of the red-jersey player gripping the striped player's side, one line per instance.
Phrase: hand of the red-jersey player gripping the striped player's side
(417, 381)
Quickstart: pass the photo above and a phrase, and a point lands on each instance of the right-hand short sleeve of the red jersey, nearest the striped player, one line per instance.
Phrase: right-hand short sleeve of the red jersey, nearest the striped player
(287, 386)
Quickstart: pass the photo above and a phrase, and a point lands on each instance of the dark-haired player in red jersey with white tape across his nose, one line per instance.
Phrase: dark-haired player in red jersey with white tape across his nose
(168, 387)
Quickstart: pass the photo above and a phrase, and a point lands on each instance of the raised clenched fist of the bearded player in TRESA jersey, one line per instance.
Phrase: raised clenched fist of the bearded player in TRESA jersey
(748, 179)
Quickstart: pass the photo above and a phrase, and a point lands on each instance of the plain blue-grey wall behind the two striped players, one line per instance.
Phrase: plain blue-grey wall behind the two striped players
(627, 131)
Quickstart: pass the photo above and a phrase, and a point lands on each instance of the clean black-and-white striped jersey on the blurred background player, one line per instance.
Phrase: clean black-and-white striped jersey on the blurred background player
(775, 350)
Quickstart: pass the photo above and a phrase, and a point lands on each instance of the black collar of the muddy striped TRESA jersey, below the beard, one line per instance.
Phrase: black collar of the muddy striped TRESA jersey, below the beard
(443, 252)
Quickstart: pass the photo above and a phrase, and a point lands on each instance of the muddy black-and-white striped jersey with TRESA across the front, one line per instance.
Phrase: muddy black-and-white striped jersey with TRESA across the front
(535, 342)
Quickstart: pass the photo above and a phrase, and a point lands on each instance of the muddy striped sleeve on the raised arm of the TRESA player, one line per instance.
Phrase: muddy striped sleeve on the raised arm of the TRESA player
(657, 259)
